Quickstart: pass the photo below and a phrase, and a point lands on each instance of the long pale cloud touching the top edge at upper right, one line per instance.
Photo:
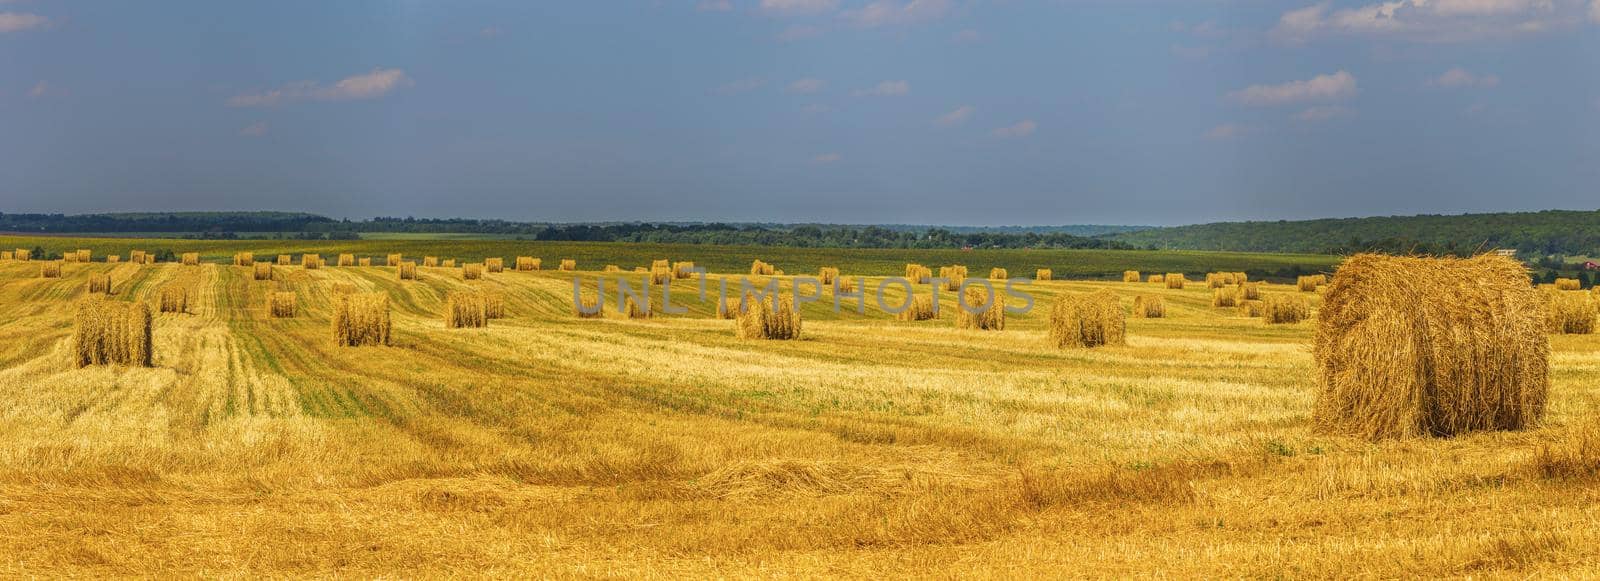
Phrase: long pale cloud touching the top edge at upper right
(1426, 20)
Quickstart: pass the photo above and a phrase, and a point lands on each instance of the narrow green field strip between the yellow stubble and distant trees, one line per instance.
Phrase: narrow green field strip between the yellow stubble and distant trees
(594, 255)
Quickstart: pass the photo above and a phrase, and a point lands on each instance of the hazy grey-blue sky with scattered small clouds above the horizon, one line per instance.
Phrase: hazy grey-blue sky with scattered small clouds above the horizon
(967, 113)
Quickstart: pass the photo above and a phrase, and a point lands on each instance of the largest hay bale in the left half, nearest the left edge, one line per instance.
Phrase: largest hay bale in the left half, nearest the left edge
(113, 334)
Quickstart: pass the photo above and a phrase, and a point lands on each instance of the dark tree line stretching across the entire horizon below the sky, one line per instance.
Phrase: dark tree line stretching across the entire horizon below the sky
(1535, 236)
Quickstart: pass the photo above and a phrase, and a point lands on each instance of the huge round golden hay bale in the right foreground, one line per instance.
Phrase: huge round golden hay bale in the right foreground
(1430, 347)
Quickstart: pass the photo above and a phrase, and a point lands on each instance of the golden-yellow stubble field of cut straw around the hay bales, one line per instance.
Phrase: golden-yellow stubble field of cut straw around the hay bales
(561, 447)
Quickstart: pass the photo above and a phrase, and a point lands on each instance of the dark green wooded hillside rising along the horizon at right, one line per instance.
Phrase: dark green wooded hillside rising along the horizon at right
(1535, 233)
